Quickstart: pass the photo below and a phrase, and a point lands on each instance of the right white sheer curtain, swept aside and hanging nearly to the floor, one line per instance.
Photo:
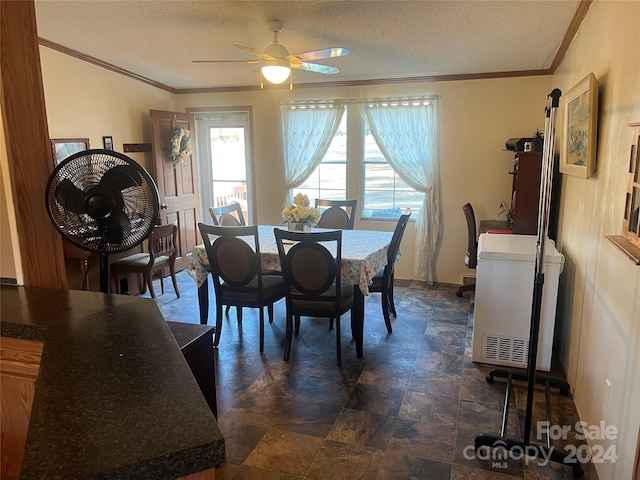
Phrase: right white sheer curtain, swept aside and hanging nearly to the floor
(407, 133)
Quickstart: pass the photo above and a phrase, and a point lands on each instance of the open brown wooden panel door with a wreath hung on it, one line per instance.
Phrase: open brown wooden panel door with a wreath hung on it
(177, 187)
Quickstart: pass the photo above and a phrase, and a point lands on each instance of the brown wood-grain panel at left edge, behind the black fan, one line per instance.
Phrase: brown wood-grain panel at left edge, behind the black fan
(28, 148)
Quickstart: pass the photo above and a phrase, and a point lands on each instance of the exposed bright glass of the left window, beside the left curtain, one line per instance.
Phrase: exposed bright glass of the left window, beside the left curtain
(329, 179)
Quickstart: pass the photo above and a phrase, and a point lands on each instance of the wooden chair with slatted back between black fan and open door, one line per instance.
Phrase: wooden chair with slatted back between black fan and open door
(162, 253)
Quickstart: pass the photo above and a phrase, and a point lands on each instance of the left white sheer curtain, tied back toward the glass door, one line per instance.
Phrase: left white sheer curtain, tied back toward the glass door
(307, 130)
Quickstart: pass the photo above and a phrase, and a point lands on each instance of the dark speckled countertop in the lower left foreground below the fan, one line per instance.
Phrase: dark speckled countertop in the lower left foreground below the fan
(114, 397)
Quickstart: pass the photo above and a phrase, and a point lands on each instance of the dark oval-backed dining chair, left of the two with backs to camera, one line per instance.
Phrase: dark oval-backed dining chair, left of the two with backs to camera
(236, 268)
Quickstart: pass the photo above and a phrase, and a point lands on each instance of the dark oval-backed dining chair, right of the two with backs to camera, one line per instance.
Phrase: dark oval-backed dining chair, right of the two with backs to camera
(312, 280)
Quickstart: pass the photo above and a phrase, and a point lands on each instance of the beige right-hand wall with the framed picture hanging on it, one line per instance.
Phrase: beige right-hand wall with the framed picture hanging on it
(599, 300)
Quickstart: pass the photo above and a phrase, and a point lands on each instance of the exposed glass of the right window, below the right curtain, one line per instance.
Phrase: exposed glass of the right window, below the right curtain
(385, 194)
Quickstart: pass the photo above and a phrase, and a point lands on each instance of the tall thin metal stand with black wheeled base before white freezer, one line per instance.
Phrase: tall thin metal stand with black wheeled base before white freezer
(524, 445)
